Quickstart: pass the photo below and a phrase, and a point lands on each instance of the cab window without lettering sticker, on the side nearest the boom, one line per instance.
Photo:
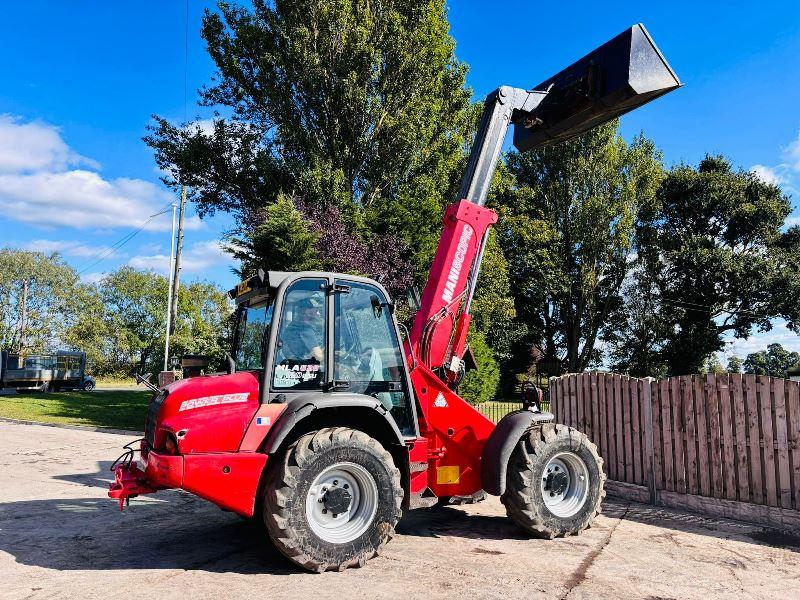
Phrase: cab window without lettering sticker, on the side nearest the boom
(367, 351)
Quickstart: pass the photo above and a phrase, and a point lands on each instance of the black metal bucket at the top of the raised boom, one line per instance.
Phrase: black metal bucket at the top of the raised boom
(617, 77)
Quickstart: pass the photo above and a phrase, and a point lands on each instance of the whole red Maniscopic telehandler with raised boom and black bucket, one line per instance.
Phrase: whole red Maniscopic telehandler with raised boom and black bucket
(327, 427)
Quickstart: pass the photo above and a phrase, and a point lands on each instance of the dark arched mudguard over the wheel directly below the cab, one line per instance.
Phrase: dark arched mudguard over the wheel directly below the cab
(302, 406)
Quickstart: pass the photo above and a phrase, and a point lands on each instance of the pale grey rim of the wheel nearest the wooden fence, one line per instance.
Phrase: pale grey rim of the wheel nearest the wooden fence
(565, 484)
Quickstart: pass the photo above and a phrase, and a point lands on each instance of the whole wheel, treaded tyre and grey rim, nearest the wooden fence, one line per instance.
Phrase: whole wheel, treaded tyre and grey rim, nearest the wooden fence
(554, 485)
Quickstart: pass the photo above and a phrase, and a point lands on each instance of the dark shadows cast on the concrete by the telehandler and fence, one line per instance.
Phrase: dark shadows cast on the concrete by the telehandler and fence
(175, 530)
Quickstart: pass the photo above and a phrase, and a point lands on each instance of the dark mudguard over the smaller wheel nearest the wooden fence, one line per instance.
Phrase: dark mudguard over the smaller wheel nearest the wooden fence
(500, 445)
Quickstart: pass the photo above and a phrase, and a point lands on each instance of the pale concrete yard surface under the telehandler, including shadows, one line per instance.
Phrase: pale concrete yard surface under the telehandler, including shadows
(61, 537)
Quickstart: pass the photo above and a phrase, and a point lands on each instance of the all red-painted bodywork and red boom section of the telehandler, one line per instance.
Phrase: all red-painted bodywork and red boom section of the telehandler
(214, 418)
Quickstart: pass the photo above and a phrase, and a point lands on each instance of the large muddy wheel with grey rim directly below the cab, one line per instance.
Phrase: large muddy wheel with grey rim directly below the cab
(334, 500)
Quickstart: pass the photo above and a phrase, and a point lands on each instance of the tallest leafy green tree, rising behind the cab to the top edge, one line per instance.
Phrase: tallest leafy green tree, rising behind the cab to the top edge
(353, 103)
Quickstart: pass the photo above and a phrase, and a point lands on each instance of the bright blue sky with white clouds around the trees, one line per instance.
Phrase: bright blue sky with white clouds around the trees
(80, 81)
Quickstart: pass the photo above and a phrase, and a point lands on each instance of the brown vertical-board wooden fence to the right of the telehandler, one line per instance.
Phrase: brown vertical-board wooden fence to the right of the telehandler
(728, 445)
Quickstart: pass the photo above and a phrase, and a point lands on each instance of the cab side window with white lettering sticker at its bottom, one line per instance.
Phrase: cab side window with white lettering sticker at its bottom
(300, 348)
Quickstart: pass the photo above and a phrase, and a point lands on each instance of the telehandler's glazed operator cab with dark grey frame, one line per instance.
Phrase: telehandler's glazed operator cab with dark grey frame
(326, 333)
